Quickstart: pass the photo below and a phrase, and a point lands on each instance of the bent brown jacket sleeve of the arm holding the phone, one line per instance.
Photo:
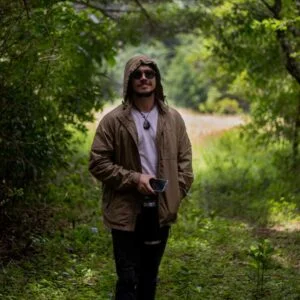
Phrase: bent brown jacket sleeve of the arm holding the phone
(102, 165)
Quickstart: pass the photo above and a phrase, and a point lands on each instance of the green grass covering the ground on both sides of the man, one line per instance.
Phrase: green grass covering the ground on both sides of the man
(236, 235)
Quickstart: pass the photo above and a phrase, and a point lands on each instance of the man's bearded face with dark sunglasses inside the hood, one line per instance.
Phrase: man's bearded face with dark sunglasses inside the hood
(143, 81)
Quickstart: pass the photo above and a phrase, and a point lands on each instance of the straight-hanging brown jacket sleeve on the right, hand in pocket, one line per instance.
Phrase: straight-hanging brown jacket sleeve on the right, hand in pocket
(185, 170)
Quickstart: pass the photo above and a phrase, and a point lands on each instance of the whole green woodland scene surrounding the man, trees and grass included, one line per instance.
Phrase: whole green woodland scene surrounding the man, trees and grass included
(61, 67)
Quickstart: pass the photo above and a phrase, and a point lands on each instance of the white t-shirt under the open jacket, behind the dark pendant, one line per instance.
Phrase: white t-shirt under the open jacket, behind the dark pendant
(146, 139)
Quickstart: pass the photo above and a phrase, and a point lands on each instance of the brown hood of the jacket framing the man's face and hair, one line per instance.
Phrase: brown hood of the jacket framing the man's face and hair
(132, 64)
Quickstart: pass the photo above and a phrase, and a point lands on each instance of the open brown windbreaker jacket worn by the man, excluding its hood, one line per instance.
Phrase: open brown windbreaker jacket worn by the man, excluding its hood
(115, 161)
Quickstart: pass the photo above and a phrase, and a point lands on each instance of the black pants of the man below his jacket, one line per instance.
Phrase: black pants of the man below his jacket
(137, 264)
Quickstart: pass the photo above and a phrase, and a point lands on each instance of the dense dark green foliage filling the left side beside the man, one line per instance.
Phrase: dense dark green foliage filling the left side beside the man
(53, 59)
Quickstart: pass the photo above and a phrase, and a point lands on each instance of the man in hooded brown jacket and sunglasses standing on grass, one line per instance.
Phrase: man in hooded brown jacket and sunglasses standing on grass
(141, 139)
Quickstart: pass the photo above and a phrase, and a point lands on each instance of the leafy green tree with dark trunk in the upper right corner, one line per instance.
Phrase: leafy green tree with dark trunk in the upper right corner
(260, 40)
